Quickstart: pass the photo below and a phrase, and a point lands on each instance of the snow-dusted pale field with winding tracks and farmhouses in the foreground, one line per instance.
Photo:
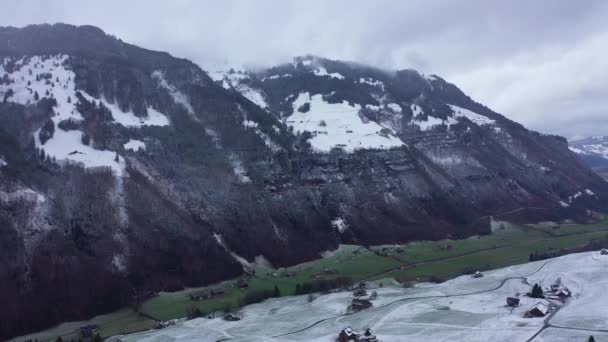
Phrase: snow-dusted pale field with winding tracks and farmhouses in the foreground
(462, 309)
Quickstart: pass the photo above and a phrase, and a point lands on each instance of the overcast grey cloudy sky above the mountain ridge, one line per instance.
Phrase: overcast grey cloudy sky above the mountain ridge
(541, 63)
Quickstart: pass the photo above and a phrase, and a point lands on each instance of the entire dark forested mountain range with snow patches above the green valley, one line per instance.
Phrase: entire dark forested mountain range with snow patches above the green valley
(125, 171)
